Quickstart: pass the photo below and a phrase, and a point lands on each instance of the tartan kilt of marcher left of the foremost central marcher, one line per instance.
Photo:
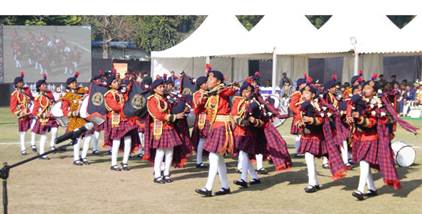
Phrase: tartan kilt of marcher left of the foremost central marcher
(169, 138)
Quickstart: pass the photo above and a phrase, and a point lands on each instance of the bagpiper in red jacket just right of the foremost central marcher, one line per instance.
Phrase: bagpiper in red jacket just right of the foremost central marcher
(246, 132)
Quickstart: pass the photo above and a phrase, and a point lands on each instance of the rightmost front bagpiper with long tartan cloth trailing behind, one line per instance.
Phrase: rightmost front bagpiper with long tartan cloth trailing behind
(371, 116)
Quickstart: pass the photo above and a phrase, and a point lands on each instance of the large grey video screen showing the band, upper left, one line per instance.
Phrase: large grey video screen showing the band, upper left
(60, 51)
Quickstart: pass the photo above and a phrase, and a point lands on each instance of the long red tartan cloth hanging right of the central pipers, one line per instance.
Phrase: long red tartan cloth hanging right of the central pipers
(276, 147)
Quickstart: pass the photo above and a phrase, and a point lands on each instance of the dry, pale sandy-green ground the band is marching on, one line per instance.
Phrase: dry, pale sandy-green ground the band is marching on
(57, 186)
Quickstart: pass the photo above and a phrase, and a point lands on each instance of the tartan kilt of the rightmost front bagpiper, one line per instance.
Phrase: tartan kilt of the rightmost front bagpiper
(368, 151)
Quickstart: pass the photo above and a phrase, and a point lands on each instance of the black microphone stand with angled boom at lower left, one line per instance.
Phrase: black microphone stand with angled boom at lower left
(4, 172)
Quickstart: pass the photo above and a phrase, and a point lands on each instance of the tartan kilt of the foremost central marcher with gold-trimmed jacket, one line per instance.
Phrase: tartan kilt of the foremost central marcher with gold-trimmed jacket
(216, 140)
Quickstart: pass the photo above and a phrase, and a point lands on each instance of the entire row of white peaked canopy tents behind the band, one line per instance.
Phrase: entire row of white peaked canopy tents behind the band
(290, 40)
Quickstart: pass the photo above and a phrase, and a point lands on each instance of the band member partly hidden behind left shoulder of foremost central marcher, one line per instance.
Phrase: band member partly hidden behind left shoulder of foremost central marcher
(201, 127)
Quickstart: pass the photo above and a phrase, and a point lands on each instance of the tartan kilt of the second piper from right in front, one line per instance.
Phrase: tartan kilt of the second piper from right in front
(313, 144)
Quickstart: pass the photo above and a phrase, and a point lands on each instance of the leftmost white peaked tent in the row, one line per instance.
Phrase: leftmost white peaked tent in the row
(216, 39)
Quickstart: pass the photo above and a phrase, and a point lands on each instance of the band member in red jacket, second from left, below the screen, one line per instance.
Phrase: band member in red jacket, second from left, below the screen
(41, 111)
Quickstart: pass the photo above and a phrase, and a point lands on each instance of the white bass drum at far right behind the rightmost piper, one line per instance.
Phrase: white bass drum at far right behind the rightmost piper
(404, 155)
